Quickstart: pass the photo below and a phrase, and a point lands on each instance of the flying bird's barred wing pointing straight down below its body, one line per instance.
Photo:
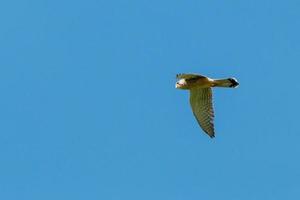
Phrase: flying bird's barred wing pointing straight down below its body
(201, 103)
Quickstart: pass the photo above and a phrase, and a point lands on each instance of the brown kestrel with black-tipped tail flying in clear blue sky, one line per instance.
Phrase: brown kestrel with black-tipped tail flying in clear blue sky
(201, 97)
